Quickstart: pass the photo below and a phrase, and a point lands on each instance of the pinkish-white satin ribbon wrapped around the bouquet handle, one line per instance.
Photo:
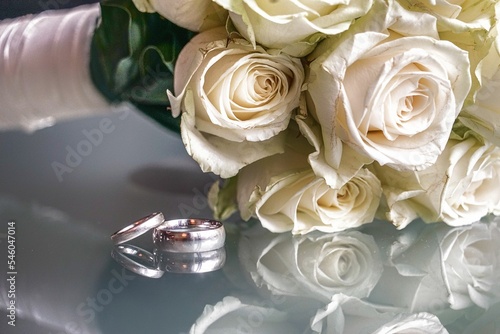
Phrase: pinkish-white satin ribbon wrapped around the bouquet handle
(44, 68)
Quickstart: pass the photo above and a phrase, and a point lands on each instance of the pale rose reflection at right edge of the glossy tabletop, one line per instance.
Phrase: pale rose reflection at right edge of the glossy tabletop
(437, 267)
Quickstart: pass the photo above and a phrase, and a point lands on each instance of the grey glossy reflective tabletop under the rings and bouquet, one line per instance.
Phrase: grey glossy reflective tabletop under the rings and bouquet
(66, 189)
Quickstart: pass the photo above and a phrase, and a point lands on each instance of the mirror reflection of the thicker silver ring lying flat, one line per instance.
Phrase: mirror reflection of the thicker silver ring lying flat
(198, 262)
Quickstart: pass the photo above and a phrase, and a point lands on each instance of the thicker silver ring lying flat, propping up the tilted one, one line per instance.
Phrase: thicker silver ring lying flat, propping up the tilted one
(189, 235)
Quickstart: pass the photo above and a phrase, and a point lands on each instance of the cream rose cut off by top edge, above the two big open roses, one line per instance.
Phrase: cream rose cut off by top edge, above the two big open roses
(295, 26)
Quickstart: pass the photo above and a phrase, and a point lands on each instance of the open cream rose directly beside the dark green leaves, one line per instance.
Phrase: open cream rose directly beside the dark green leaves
(235, 100)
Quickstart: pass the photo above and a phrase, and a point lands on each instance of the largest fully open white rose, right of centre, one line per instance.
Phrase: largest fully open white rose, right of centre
(389, 94)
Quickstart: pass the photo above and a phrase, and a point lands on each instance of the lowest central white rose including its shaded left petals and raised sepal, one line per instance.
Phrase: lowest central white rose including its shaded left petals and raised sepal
(285, 194)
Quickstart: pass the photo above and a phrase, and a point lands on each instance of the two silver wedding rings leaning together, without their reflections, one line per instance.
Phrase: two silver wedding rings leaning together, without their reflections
(176, 235)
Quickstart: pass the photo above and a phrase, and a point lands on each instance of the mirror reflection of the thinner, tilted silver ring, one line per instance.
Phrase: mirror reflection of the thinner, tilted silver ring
(147, 265)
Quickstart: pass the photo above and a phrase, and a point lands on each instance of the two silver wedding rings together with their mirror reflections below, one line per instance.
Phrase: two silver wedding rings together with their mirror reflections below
(181, 246)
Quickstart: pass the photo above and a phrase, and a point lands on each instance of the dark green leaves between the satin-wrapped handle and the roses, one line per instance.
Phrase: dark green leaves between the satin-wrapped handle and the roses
(133, 55)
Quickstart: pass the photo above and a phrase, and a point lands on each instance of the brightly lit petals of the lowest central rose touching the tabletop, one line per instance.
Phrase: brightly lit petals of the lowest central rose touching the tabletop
(302, 202)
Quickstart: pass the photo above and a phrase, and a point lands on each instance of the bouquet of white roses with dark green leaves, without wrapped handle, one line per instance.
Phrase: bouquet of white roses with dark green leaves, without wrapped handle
(320, 115)
